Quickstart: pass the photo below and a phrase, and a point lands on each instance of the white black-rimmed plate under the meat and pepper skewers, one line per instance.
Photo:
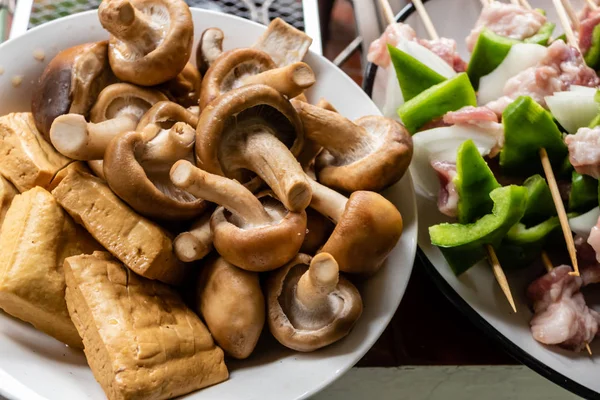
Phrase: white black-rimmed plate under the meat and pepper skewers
(476, 292)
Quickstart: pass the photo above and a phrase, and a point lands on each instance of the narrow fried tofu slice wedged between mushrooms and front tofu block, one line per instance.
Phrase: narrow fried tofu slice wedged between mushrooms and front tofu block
(138, 242)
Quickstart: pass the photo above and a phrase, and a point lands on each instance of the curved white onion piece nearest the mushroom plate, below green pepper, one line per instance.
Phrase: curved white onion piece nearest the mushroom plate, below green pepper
(441, 144)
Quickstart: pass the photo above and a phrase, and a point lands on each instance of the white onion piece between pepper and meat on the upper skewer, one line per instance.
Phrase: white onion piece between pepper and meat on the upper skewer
(520, 57)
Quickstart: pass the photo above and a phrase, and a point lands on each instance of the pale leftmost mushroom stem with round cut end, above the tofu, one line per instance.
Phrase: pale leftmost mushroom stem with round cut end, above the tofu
(75, 138)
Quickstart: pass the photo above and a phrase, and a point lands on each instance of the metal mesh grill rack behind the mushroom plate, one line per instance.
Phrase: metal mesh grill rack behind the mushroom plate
(257, 10)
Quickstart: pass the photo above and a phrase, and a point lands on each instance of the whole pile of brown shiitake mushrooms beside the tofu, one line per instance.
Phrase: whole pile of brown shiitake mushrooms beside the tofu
(224, 150)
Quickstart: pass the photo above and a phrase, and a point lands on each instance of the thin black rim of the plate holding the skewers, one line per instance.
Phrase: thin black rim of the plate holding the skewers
(461, 304)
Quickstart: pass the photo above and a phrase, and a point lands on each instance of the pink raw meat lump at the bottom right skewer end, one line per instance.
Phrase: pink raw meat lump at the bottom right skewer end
(561, 314)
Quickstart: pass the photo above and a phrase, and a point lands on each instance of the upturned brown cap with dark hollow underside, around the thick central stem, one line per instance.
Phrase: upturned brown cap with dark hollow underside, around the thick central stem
(259, 103)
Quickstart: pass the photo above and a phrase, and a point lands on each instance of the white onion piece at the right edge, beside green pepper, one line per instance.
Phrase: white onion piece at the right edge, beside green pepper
(574, 109)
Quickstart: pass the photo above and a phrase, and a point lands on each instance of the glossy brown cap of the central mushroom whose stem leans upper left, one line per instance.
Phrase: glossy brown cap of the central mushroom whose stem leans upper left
(259, 248)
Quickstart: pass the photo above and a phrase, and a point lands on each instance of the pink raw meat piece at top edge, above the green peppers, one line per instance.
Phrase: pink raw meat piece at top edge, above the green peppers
(508, 20)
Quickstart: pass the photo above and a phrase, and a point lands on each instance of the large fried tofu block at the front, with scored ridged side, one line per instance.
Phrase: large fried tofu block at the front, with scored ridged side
(141, 340)
